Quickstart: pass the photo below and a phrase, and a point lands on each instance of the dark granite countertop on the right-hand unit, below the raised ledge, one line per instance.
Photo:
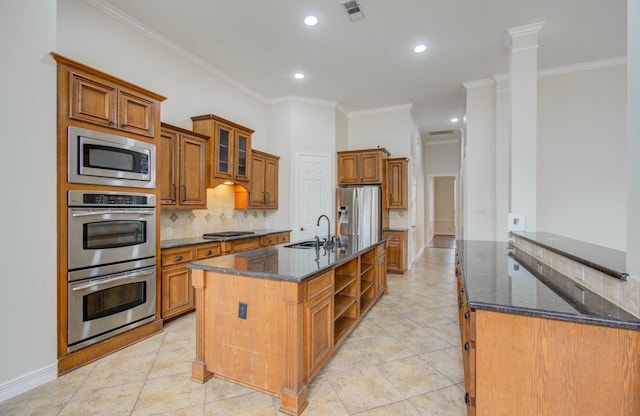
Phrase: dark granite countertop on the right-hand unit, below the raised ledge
(501, 278)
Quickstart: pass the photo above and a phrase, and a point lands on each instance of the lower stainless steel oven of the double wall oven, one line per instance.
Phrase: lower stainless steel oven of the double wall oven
(106, 300)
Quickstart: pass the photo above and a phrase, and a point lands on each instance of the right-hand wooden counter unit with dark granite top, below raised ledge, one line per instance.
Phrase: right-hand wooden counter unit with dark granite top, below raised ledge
(535, 342)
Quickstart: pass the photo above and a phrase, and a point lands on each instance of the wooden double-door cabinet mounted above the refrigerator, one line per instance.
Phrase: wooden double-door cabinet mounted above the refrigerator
(362, 166)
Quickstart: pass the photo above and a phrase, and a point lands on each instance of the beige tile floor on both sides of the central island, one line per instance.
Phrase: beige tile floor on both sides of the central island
(404, 358)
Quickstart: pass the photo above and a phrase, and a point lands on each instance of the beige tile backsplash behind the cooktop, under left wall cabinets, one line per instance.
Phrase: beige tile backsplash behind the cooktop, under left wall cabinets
(220, 215)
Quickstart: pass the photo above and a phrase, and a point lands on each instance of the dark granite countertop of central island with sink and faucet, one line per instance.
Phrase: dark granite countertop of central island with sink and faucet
(283, 263)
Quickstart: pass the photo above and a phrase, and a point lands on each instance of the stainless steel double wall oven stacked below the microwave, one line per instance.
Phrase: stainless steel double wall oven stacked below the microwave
(111, 264)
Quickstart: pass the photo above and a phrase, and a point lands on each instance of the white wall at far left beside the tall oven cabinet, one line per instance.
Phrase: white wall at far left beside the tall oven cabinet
(28, 162)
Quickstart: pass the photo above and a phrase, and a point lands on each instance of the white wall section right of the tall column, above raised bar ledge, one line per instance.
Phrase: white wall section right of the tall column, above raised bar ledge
(582, 162)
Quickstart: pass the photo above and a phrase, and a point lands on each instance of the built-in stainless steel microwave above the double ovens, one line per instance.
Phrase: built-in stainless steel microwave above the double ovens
(107, 159)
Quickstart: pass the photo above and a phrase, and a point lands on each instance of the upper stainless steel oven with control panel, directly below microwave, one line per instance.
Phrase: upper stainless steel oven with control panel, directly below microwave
(110, 227)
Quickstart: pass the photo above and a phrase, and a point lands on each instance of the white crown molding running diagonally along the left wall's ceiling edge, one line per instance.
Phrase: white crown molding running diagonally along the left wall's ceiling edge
(139, 27)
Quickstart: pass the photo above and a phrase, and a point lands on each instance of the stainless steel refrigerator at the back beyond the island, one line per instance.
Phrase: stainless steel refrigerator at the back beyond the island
(359, 214)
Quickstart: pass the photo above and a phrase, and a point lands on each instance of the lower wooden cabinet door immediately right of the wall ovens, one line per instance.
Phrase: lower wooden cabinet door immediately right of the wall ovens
(177, 292)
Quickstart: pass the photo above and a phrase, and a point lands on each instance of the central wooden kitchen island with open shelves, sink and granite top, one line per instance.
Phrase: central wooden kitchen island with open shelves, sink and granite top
(270, 318)
